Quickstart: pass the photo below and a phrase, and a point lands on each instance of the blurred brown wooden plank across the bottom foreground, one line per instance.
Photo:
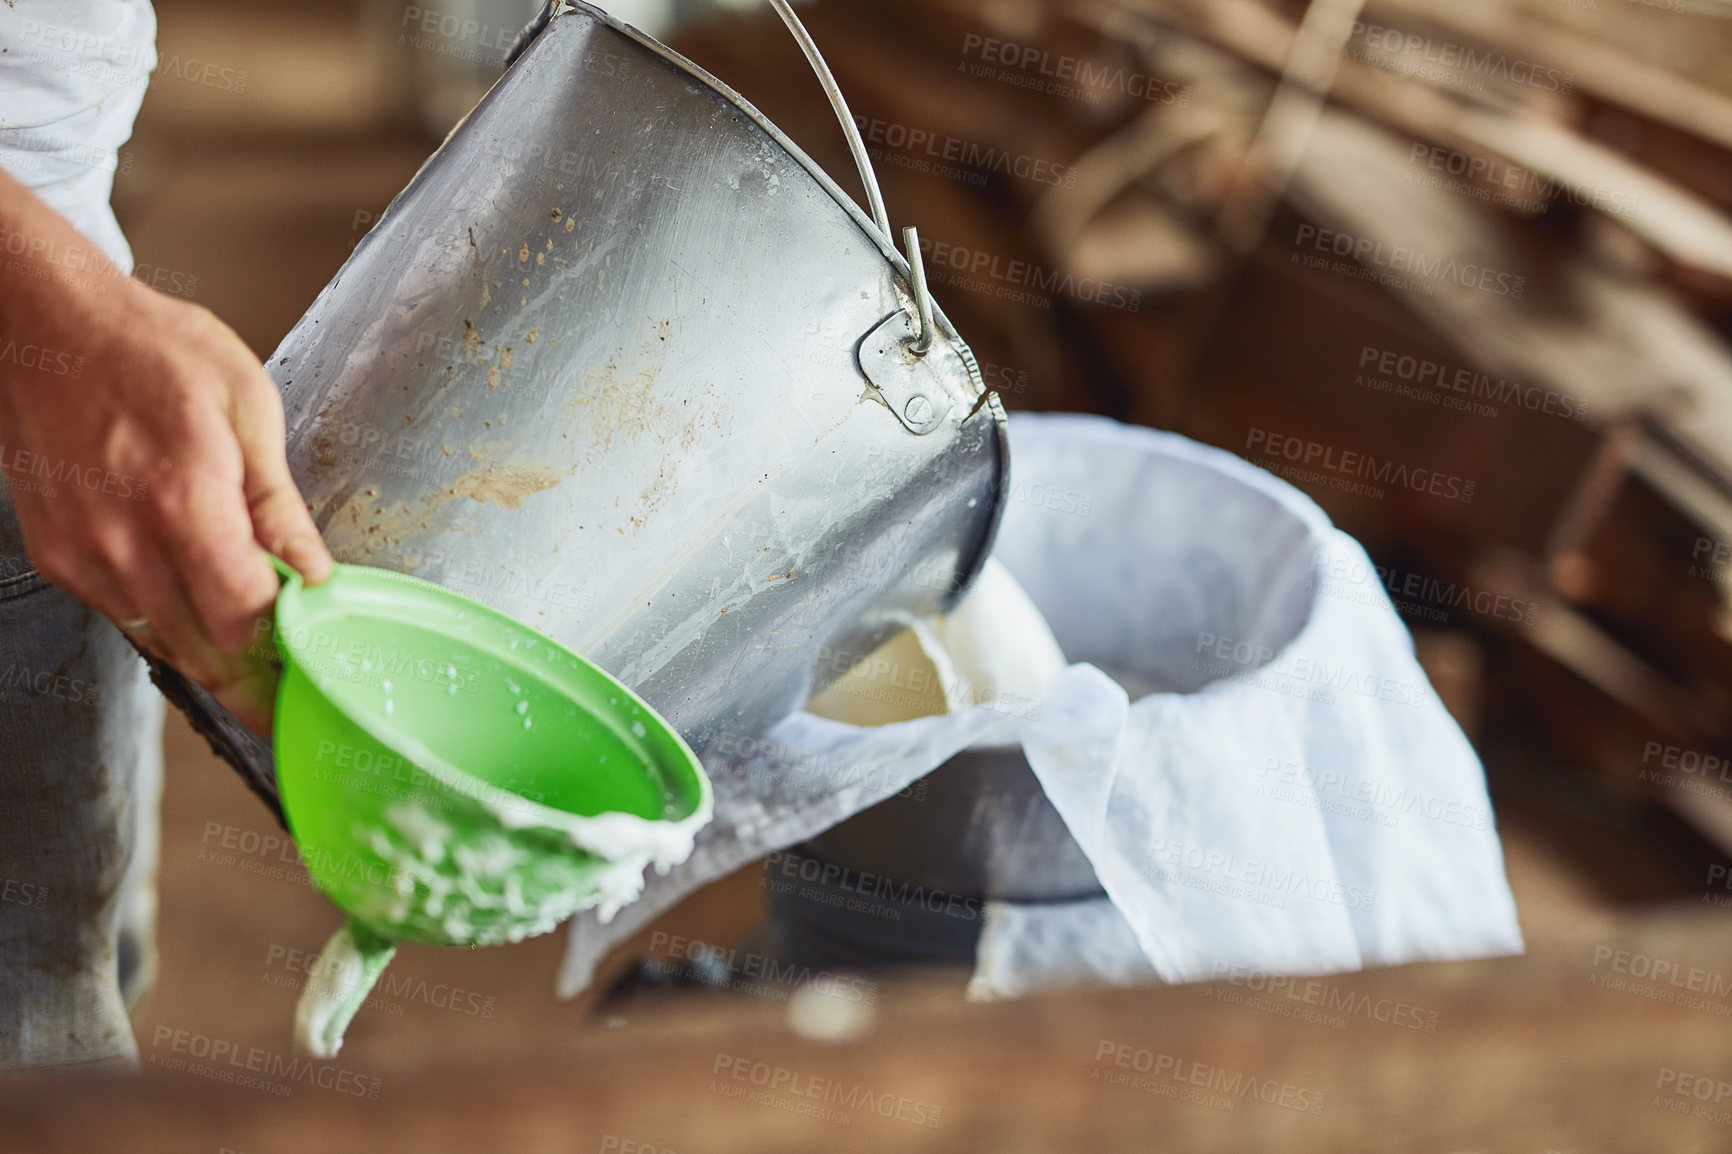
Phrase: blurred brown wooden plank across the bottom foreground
(1584, 1051)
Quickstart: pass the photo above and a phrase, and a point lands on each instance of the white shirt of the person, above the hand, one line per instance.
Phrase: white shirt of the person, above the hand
(72, 79)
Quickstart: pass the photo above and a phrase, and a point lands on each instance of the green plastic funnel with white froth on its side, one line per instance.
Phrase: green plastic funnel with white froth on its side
(456, 779)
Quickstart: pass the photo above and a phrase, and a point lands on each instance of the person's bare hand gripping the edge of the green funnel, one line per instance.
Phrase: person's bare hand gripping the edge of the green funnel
(146, 460)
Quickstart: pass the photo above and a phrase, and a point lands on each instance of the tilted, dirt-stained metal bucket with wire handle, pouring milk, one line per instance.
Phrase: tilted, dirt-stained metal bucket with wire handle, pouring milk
(626, 365)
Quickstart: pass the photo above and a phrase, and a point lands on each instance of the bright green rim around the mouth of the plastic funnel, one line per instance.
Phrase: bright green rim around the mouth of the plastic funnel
(682, 770)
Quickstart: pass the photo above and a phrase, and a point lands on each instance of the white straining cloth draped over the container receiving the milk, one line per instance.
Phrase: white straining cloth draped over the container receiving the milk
(1281, 789)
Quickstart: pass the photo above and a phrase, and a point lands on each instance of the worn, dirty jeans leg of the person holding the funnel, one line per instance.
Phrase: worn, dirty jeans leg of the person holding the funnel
(81, 788)
